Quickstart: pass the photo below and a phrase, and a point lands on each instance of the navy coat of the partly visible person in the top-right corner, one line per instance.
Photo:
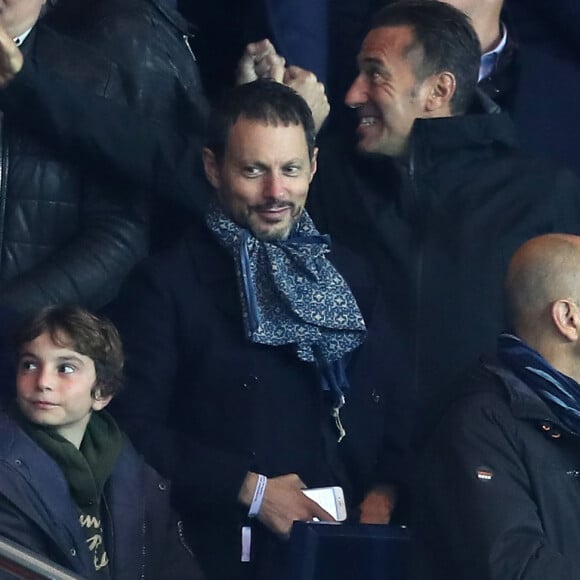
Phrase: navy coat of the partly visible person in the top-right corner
(538, 77)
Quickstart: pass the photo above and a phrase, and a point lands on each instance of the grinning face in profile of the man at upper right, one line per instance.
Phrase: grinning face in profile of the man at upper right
(387, 93)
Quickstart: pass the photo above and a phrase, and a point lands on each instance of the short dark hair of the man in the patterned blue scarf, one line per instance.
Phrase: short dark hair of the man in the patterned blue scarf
(262, 100)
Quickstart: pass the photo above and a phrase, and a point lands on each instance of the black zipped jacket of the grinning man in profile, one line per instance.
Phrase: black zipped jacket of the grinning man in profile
(441, 231)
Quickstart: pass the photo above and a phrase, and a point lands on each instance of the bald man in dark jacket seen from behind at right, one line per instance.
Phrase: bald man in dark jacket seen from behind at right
(499, 486)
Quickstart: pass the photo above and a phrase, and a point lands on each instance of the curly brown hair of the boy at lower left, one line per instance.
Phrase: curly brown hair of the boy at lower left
(75, 328)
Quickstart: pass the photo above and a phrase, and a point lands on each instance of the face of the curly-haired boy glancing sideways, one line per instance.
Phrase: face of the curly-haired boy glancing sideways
(54, 387)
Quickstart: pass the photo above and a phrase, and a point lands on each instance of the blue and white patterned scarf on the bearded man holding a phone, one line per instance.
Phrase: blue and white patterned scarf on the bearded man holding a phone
(291, 294)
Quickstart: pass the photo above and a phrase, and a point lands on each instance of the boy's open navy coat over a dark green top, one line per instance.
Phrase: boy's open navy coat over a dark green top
(143, 538)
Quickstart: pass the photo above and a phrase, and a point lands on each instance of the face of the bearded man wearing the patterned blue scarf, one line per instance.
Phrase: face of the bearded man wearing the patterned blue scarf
(263, 180)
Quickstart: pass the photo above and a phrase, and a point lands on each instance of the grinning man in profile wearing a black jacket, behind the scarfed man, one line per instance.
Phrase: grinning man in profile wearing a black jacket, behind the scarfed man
(438, 195)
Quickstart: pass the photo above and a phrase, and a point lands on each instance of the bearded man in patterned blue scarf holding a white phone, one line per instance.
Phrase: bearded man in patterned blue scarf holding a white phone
(245, 339)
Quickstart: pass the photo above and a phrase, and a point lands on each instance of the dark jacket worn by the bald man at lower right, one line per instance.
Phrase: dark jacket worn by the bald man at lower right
(497, 495)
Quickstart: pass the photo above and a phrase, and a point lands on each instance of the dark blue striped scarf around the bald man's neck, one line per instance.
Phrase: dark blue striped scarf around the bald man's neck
(560, 392)
